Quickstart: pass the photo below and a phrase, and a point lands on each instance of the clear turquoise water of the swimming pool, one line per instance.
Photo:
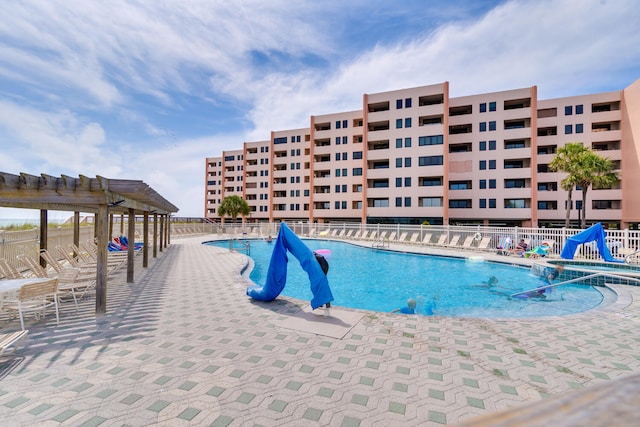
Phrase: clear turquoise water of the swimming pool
(369, 279)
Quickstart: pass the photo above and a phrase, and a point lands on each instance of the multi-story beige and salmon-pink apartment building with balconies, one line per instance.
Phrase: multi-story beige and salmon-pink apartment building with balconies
(415, 155)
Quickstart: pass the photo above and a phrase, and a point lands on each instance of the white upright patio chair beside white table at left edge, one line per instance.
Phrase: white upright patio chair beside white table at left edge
(36, 298)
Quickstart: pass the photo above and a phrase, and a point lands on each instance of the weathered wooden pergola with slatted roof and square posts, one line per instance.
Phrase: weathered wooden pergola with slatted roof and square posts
(100, 196)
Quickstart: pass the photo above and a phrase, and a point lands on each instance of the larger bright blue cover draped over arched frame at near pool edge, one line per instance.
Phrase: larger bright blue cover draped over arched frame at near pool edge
(277, 273)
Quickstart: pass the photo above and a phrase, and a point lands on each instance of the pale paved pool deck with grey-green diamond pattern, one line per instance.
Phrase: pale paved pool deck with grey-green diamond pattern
(183, 345)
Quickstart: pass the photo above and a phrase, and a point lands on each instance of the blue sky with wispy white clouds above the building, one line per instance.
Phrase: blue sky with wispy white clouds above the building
(147, 89)
